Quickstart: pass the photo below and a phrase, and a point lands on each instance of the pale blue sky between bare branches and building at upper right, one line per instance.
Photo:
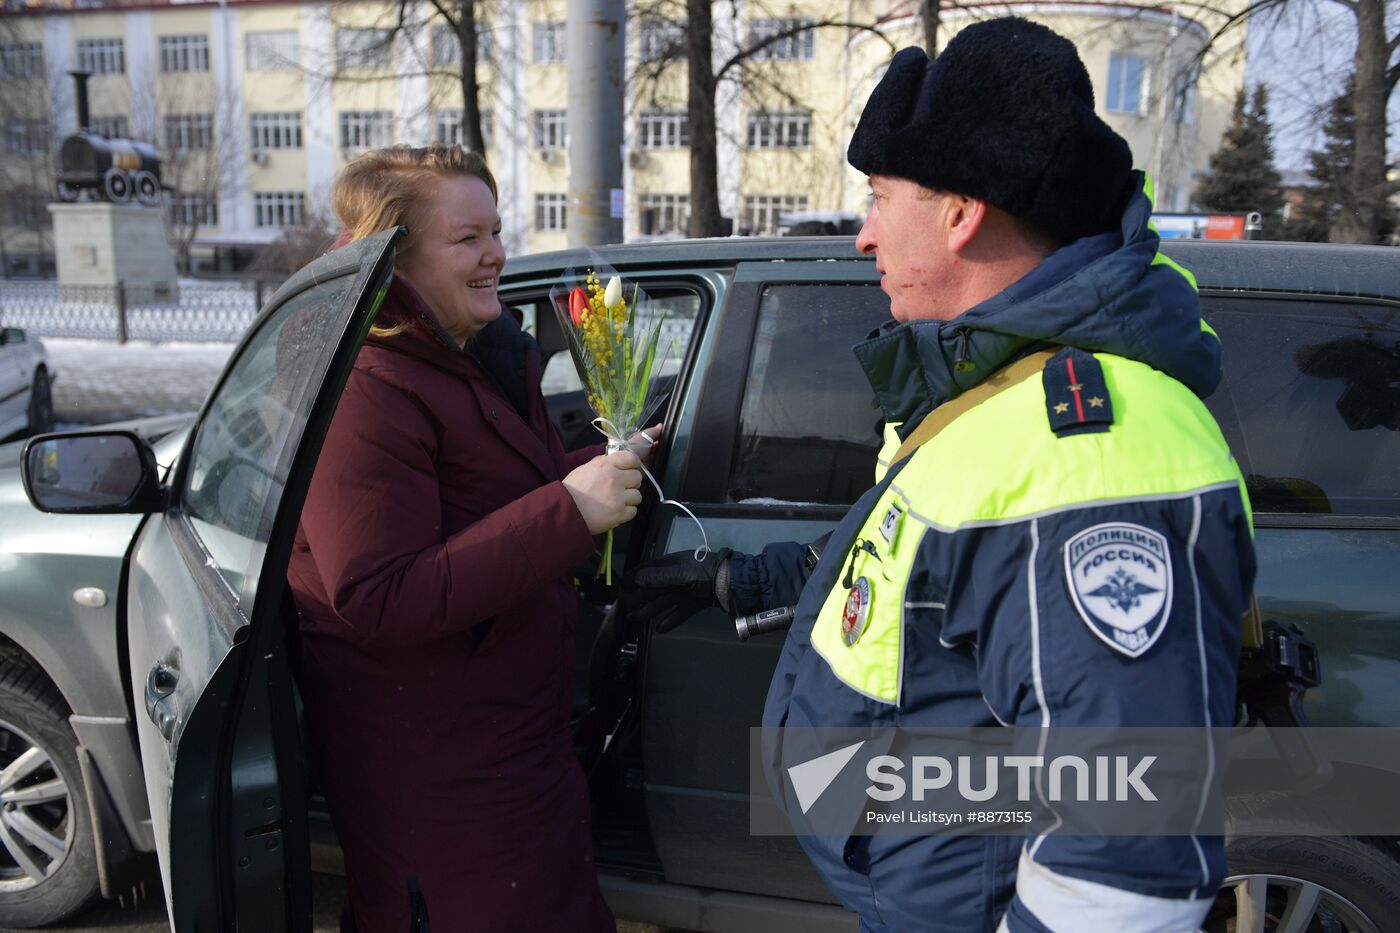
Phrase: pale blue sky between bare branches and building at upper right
(1304, 55)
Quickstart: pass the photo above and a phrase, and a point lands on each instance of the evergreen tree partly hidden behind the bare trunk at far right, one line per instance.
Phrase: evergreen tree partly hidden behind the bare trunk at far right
(1333, 173)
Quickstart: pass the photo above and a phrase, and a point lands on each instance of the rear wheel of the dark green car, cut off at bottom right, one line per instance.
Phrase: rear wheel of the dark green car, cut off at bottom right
(1307, 885)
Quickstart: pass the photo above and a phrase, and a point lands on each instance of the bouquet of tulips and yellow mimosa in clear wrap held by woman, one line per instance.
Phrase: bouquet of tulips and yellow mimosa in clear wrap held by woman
(614, 340)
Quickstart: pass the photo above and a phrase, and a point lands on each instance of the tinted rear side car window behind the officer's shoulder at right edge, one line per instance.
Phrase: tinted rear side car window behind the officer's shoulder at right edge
(1312, 392)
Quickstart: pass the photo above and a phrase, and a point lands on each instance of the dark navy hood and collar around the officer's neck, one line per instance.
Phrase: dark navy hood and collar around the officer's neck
(1111, 293)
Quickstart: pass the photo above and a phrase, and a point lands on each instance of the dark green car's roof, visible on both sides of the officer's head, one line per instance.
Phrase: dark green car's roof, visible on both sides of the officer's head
(1332, 270)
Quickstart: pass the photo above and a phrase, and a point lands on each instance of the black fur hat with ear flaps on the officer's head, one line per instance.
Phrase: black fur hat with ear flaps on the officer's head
(1006, 116)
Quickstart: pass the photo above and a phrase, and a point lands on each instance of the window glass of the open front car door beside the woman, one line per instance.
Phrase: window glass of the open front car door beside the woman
(241, 453)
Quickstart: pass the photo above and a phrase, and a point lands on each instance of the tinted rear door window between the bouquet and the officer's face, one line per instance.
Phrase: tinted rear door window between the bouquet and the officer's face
(810, 427)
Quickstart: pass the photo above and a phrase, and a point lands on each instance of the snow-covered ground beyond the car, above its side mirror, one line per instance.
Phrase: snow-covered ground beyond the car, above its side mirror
(103, 380)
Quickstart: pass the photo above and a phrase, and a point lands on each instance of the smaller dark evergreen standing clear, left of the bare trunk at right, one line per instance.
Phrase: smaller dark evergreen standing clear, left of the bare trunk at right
(1242, 176)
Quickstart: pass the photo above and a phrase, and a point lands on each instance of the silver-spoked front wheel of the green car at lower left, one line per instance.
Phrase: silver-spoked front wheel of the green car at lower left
(48, 864)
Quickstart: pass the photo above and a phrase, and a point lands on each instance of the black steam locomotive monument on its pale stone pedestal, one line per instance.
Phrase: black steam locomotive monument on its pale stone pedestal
(108, 229)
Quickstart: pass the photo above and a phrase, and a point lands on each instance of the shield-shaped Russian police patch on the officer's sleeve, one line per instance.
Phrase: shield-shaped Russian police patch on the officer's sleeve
(1121, 579)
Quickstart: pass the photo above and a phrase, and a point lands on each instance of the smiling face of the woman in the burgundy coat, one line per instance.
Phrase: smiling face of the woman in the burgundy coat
(456, 260)
